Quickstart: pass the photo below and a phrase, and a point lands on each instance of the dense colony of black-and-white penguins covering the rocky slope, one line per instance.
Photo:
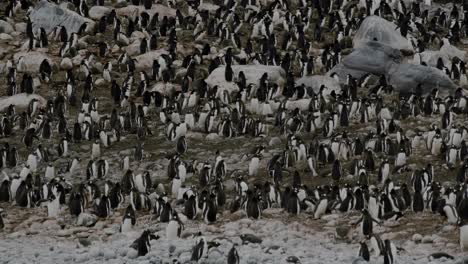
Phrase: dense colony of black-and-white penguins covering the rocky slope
(328, 164)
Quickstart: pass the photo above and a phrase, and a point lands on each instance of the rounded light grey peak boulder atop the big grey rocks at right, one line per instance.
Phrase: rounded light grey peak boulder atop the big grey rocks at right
(374, 27)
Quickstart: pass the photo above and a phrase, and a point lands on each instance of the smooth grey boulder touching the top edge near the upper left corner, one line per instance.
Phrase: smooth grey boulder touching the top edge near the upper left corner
(48, 16)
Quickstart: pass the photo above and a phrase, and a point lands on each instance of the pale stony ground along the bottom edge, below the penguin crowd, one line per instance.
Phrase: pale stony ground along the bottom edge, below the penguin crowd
(310, 241)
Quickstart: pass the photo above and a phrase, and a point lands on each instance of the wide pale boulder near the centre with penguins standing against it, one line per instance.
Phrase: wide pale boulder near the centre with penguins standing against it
(252, 73)
